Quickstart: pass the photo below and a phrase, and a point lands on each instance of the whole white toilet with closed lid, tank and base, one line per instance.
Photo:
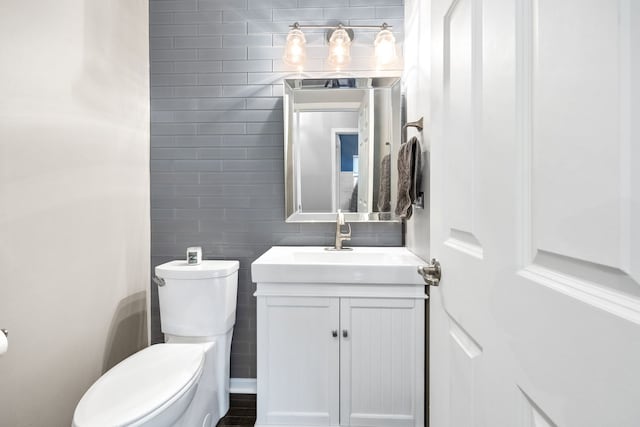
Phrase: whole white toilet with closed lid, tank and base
(184, 382)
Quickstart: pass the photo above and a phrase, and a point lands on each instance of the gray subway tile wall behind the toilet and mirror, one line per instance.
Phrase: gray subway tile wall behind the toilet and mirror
(217, 133)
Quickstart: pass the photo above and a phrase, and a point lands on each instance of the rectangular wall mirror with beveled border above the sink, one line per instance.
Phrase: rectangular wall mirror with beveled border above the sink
(341, 139)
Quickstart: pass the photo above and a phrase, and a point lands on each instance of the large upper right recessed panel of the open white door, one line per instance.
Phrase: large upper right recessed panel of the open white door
(577, 188)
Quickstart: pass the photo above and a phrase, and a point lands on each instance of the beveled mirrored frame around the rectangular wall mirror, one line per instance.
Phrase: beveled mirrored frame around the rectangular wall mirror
(292, 215)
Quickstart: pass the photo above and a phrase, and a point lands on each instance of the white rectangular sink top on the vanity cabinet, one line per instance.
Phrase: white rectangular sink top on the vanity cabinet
(314, 264)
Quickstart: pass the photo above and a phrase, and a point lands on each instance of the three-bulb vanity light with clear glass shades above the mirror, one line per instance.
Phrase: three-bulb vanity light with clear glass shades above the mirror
(339, 37)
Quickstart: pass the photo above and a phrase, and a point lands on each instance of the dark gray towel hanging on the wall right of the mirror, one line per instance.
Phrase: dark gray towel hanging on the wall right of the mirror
(409, 176)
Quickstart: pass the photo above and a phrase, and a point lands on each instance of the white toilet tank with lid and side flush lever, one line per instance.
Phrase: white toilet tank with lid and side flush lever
(198, 300)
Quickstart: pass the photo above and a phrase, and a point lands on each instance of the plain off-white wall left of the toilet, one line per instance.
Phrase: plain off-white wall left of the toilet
(74, 199)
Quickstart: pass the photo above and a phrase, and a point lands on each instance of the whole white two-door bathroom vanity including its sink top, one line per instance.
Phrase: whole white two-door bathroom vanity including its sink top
(340, 337)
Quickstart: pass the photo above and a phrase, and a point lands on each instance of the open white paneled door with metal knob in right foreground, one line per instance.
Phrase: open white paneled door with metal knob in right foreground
(535, 196)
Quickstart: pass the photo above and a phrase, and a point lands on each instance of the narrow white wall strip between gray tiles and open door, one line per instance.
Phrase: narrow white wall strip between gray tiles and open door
(416, 80)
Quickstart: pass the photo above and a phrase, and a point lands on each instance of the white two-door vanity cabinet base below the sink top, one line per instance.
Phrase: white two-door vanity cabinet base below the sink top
(339, 355)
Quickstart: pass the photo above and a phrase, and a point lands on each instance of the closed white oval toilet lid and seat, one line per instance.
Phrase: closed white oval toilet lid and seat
(142, 386)
